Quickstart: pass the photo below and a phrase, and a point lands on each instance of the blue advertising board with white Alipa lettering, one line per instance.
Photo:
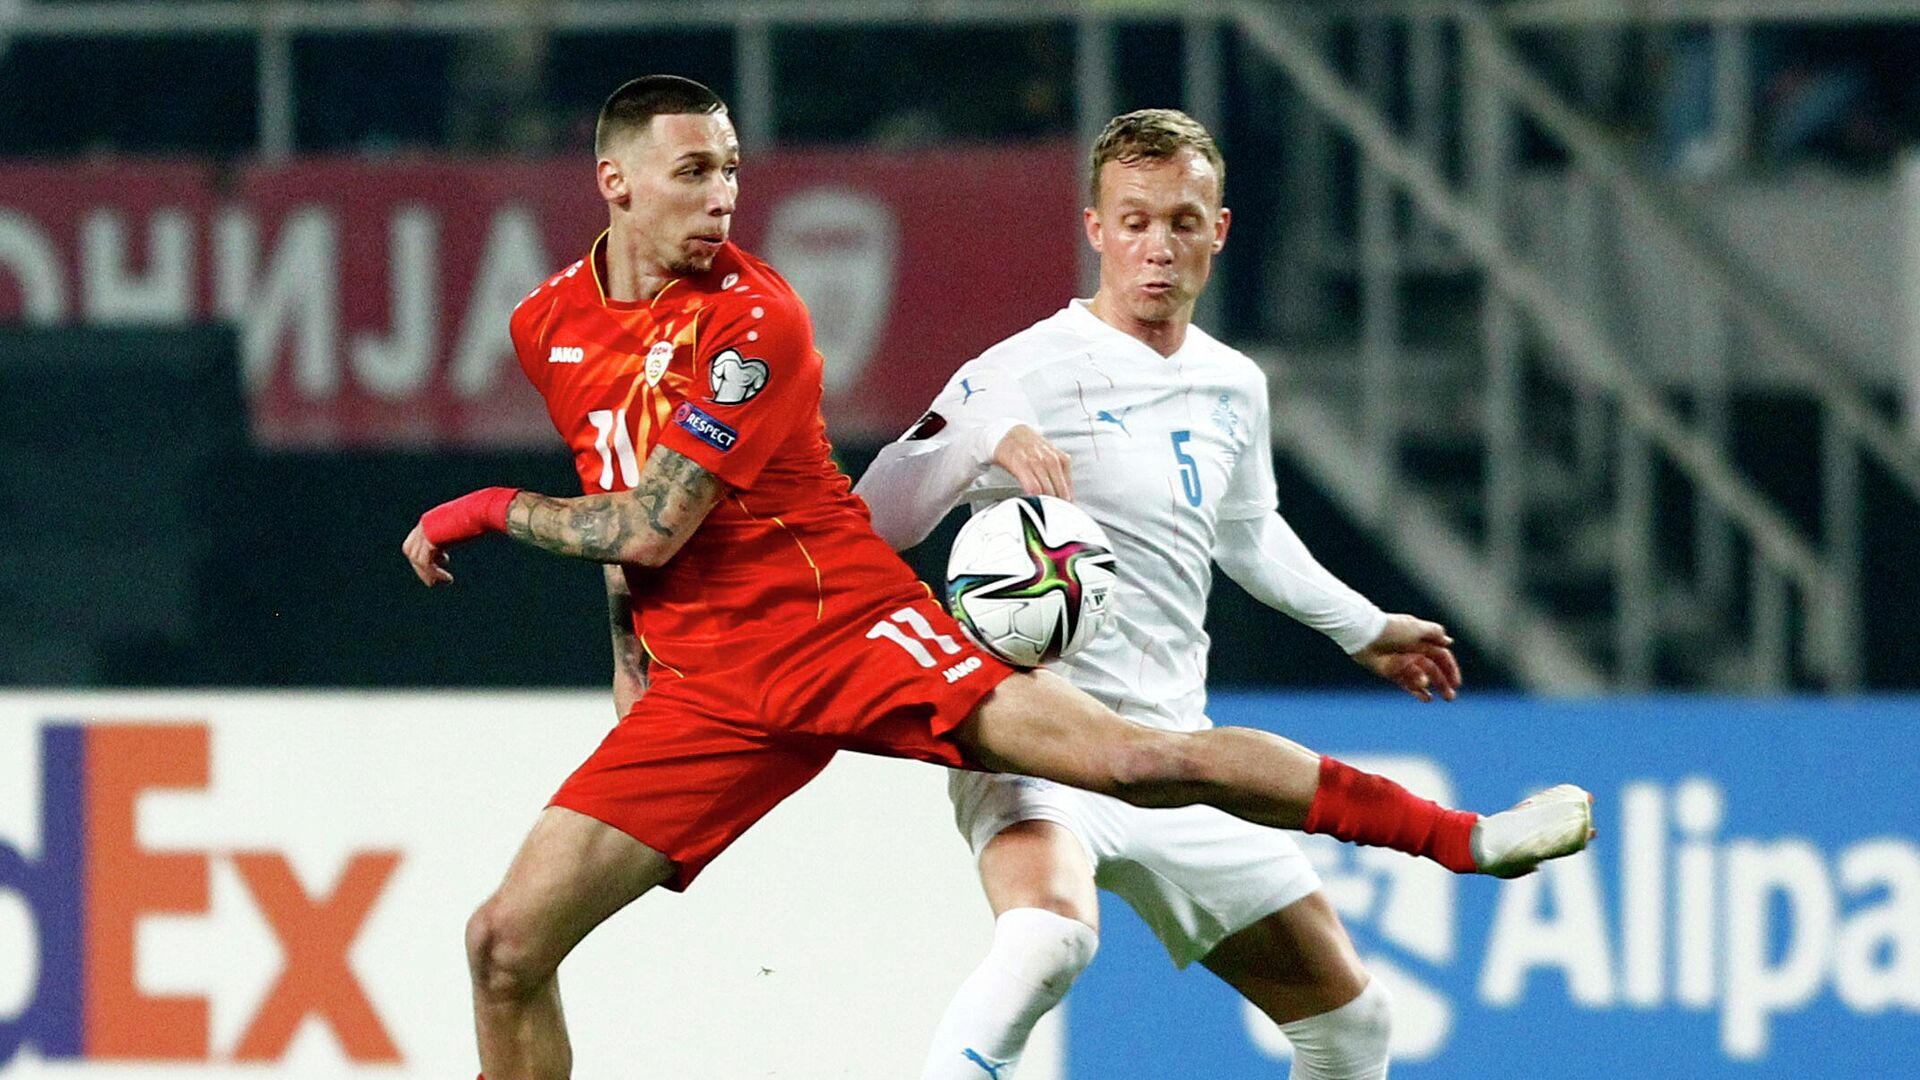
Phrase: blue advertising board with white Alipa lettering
(1752, 906)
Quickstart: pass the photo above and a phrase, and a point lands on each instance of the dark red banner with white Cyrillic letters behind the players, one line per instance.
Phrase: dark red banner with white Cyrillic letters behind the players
(373, 297)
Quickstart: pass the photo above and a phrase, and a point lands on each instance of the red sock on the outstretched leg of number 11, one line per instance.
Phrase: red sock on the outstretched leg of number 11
(1362, 808)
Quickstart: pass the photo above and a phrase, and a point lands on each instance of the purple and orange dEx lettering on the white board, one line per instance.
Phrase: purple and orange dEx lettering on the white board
(93, 883)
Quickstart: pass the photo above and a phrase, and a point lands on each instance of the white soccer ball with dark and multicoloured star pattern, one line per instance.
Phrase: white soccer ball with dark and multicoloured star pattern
(1030, 579)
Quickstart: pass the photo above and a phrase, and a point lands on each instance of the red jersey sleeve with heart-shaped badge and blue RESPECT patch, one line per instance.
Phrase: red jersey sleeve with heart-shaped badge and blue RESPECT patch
(756, 380)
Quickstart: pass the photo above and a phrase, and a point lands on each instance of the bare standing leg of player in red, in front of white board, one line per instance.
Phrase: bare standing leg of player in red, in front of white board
(567, 879)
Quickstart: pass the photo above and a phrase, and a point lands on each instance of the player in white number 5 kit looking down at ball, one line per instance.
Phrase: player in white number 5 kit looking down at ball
(1163, 435)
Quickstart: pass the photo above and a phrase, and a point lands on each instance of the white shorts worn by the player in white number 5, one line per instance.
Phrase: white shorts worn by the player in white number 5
(1195, 875)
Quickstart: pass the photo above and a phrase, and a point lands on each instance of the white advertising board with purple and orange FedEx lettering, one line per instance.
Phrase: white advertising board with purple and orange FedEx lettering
(241, 887)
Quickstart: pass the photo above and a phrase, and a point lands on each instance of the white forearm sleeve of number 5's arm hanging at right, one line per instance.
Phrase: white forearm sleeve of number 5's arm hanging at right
(1268, 560)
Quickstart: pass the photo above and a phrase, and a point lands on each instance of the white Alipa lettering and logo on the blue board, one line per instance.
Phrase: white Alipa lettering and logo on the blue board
(1742, 927)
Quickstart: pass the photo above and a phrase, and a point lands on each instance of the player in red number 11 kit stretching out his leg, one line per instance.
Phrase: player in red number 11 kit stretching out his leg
(779, 627)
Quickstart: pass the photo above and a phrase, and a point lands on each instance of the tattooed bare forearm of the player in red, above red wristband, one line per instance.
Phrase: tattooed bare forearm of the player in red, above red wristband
(671, 501)
